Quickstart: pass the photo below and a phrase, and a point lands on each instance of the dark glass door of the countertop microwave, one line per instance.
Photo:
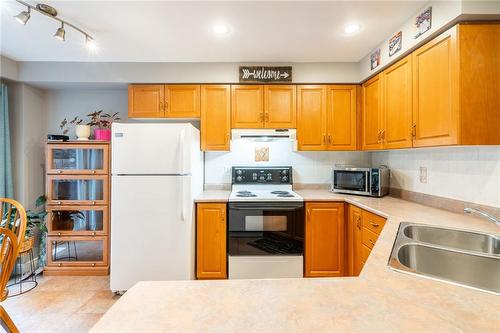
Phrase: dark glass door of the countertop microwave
(352, 181)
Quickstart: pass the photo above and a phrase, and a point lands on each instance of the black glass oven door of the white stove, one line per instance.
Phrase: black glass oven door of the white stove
(260, 229)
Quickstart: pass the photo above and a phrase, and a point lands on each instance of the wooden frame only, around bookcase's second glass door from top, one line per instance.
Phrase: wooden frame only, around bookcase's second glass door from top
(53, 201)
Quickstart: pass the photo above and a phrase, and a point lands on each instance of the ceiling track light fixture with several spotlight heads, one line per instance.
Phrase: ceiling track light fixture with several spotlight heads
(51, 12)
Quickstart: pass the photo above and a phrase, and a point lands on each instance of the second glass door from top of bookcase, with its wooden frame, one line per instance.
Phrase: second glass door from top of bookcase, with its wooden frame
(77, 190)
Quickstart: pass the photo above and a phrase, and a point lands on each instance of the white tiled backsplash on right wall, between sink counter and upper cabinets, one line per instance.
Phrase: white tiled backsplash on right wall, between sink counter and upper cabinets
(464, 173)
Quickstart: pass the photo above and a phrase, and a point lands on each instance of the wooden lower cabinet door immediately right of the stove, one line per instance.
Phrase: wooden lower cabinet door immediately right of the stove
(324, 239)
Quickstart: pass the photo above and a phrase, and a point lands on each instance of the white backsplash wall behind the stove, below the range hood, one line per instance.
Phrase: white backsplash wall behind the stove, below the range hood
(308, 167)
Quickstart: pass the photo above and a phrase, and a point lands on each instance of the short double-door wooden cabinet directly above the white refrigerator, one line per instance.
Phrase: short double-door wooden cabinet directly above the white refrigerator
(163, 101)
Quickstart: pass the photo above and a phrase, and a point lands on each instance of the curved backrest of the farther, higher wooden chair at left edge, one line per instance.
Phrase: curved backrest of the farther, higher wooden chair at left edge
(13, 217)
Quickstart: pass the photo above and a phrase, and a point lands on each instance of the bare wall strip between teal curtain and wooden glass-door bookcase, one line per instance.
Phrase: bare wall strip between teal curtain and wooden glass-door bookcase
(27, 122)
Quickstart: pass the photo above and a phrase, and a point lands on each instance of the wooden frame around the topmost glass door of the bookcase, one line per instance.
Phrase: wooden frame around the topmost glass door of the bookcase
(52, 146)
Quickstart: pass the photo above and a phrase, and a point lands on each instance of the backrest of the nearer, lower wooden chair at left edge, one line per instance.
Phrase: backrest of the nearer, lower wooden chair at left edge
(9, 249)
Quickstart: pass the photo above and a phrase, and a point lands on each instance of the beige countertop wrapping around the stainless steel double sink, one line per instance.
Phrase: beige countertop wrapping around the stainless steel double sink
(379, 300)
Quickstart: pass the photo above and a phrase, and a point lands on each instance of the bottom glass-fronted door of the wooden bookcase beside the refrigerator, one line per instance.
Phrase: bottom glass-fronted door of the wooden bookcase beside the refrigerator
(77, 251)
